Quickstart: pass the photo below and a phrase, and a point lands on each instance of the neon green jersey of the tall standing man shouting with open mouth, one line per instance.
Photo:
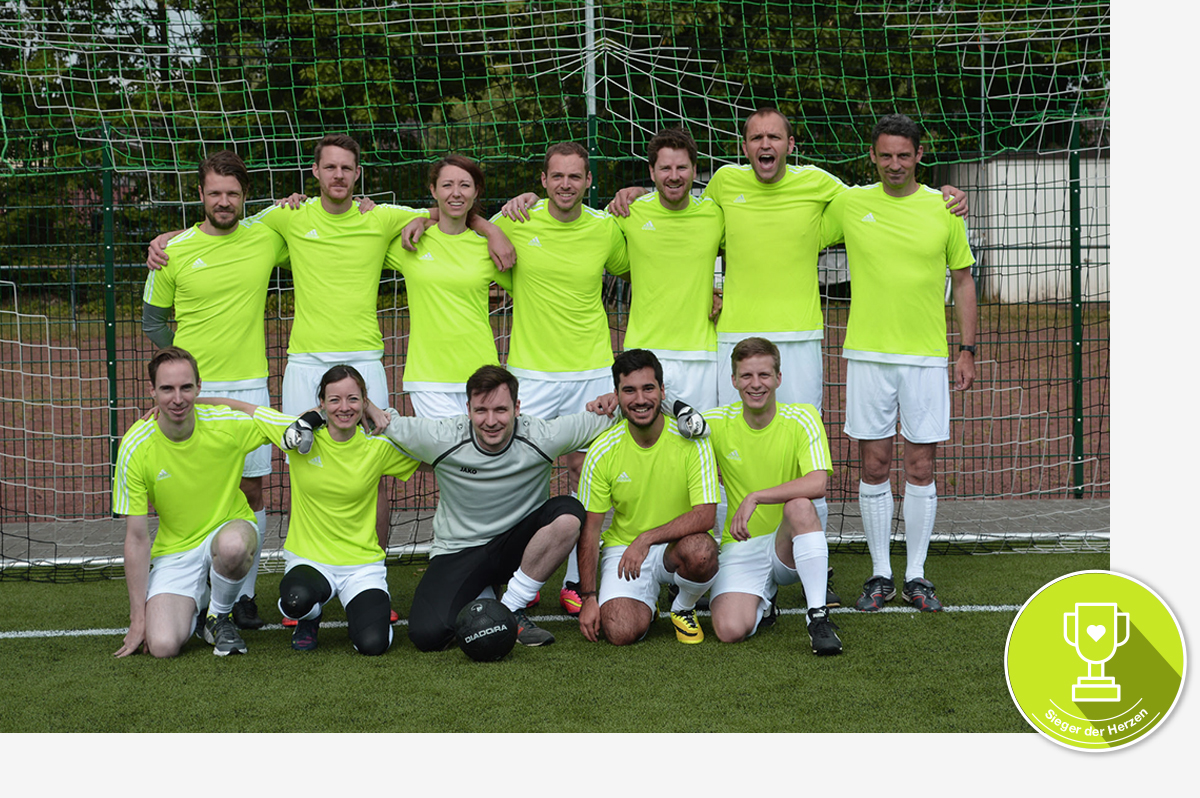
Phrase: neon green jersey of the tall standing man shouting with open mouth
(772, 241)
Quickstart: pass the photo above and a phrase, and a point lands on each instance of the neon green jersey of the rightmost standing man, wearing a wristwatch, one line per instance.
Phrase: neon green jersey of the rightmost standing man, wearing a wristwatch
(899, 249)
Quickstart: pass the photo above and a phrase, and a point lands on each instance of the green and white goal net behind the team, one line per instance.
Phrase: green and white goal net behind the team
(109, 106)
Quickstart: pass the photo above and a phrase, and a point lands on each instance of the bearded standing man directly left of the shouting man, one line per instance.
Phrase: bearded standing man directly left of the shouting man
(674, 239)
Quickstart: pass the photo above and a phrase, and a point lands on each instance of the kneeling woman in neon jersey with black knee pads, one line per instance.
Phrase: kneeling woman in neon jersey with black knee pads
(332, 549)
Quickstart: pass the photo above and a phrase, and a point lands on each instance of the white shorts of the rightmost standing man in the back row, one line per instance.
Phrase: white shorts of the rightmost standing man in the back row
(877, 392)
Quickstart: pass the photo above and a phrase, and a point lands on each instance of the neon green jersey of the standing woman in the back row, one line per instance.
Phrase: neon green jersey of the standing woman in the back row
(447, 281)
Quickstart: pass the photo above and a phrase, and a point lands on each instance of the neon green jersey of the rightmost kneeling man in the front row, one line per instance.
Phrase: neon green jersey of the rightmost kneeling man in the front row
(791, 446)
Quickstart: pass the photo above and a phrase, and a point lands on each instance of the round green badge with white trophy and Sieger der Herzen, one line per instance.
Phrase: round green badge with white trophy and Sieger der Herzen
(1095, 661)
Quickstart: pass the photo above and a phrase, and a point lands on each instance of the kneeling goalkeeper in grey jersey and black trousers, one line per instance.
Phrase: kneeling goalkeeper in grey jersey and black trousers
(496, 521)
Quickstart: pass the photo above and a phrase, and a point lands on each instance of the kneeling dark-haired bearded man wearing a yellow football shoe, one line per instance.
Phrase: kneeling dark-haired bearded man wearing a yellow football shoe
(663, 491)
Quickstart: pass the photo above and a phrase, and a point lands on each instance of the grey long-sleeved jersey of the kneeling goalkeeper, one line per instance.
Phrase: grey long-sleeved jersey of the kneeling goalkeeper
(484, 494)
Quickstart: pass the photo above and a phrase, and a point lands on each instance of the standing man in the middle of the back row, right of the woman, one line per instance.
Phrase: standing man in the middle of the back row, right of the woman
(562, 347)
